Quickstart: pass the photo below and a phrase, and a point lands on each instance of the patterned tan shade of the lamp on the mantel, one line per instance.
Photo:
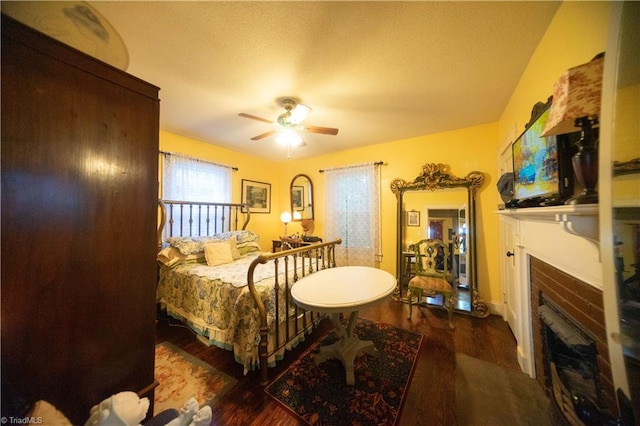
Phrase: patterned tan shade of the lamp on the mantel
(575, 95)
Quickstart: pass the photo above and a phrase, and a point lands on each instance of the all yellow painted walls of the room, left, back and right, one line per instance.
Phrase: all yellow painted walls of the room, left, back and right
(577, 33)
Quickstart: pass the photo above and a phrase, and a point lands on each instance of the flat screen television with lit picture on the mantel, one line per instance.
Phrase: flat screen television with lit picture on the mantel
(542, 169)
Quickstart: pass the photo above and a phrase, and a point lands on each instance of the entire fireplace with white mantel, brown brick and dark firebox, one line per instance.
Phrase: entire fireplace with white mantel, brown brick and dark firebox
(552, 254)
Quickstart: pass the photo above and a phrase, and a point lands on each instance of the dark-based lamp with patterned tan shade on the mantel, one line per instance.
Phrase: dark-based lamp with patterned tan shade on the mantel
(576, 107)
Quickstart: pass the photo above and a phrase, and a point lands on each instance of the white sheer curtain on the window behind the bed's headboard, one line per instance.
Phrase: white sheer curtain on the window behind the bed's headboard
(189, 179)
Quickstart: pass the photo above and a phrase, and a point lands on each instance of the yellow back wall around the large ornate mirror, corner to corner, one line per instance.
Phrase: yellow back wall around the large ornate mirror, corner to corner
(404, 159)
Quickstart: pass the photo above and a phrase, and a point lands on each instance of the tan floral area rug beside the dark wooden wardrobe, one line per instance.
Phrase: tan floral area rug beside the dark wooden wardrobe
(182, 376)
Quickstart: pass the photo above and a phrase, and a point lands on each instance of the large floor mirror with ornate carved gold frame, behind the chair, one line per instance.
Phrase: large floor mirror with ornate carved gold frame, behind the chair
(446, 204)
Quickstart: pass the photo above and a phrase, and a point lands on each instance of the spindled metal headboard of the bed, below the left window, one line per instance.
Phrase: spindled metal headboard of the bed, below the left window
(199, 218)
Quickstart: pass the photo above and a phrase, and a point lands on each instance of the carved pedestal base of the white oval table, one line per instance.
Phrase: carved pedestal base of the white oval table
(347, 348)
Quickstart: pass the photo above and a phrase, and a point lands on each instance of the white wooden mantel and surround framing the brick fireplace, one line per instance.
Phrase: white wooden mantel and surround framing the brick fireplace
(565, 237)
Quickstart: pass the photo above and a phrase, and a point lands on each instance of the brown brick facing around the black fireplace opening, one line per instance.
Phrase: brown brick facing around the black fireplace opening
(583, 304)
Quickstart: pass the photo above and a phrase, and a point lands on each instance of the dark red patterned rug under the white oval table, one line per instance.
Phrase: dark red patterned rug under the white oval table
(319, 394)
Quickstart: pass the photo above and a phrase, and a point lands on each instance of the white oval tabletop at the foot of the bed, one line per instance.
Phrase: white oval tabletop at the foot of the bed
(345, 288)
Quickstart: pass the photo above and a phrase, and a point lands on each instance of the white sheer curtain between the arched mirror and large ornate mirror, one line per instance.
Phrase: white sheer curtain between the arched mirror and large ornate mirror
(352, 212)
